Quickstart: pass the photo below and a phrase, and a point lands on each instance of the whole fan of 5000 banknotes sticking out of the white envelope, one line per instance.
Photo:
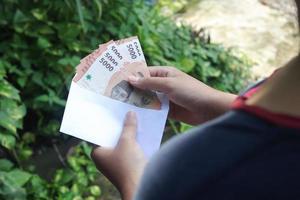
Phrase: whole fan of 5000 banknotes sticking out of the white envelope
(106, 70)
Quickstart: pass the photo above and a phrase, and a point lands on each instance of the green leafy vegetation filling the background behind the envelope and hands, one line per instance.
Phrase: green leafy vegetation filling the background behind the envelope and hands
(41, 43)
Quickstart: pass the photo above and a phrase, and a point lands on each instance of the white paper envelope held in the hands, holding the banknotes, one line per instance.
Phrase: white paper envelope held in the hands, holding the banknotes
(99, 119)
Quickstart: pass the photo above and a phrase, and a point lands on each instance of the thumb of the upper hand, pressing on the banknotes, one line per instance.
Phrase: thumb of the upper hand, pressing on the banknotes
(161, 84)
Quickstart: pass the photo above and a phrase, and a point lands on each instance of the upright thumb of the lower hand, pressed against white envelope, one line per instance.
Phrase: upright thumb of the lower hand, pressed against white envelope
(130, 126)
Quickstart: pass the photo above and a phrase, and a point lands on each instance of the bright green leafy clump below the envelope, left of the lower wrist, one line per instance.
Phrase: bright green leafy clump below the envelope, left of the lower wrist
(78, 179)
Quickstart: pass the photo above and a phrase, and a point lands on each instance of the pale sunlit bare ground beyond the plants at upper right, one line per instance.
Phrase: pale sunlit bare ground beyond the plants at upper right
(265, 30)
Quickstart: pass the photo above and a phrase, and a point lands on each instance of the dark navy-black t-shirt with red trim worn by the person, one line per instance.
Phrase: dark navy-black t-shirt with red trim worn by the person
(237, 156)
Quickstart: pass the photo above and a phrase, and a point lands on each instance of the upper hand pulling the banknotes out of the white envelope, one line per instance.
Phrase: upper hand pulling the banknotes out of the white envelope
(192, 101)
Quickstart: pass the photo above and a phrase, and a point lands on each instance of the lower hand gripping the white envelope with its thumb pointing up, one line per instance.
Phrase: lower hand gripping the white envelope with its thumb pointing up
(124, 164)
